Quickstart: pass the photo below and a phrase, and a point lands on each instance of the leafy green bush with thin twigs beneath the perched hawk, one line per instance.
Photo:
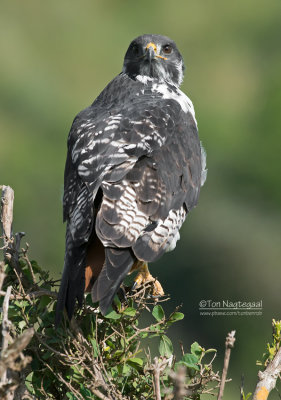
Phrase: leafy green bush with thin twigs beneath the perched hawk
(95, 356)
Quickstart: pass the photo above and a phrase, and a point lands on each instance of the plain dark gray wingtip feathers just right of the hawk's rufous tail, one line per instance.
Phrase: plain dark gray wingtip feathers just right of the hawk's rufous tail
(118, 263)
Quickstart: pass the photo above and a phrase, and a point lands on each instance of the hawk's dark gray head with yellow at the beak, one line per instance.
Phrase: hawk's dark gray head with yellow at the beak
(154, 56)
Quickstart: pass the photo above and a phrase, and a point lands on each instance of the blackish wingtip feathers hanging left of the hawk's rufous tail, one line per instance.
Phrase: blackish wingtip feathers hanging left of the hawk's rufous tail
(73, 280)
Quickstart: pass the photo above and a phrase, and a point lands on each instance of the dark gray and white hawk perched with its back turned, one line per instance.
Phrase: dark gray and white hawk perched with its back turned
(133, 172)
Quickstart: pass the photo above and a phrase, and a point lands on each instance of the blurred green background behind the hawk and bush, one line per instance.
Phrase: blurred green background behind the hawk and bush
(56, 57)
